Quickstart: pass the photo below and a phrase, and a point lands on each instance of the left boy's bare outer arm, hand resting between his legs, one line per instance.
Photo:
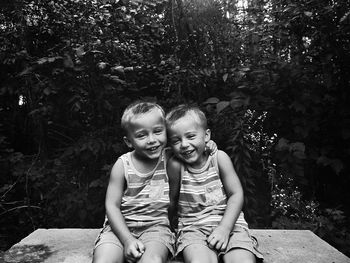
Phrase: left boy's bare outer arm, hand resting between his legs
(133, 248)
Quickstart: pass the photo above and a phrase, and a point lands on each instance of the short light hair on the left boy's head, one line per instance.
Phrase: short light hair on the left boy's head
(136, 108)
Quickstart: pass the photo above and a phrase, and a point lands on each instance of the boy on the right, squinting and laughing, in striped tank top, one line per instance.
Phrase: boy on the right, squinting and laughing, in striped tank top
(207, 193)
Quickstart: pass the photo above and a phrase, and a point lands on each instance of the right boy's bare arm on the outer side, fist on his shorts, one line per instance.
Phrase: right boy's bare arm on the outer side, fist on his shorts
(234, 192)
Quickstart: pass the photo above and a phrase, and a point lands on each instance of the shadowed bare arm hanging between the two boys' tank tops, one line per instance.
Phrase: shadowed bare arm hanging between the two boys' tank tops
(174, 174)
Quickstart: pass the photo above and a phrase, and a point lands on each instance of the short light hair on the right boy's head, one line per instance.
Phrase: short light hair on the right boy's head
(184, 109)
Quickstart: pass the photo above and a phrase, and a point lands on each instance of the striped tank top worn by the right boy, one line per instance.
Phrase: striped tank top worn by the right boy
(202, 199)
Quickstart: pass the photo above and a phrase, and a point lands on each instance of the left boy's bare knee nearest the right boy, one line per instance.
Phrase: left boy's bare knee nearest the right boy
(155, 252)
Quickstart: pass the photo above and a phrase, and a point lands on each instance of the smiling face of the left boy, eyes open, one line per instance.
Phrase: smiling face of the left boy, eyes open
(147, 134)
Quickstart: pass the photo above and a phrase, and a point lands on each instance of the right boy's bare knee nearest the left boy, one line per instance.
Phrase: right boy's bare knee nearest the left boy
(198, 253)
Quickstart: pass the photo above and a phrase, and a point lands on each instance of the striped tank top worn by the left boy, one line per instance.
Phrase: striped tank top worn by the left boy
(146, 199)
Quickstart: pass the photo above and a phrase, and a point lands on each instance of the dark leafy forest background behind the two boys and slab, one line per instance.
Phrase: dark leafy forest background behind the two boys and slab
(272, 76)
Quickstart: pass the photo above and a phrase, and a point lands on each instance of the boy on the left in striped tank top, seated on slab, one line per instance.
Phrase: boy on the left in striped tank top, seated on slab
(136, 228)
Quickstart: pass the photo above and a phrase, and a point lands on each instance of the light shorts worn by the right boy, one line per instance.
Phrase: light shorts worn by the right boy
(240, 237)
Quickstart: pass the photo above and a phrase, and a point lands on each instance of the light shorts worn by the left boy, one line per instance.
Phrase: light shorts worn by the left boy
(157, 233)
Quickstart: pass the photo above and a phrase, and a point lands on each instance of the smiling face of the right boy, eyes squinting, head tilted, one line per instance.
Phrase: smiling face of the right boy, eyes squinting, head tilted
(188, 139)
